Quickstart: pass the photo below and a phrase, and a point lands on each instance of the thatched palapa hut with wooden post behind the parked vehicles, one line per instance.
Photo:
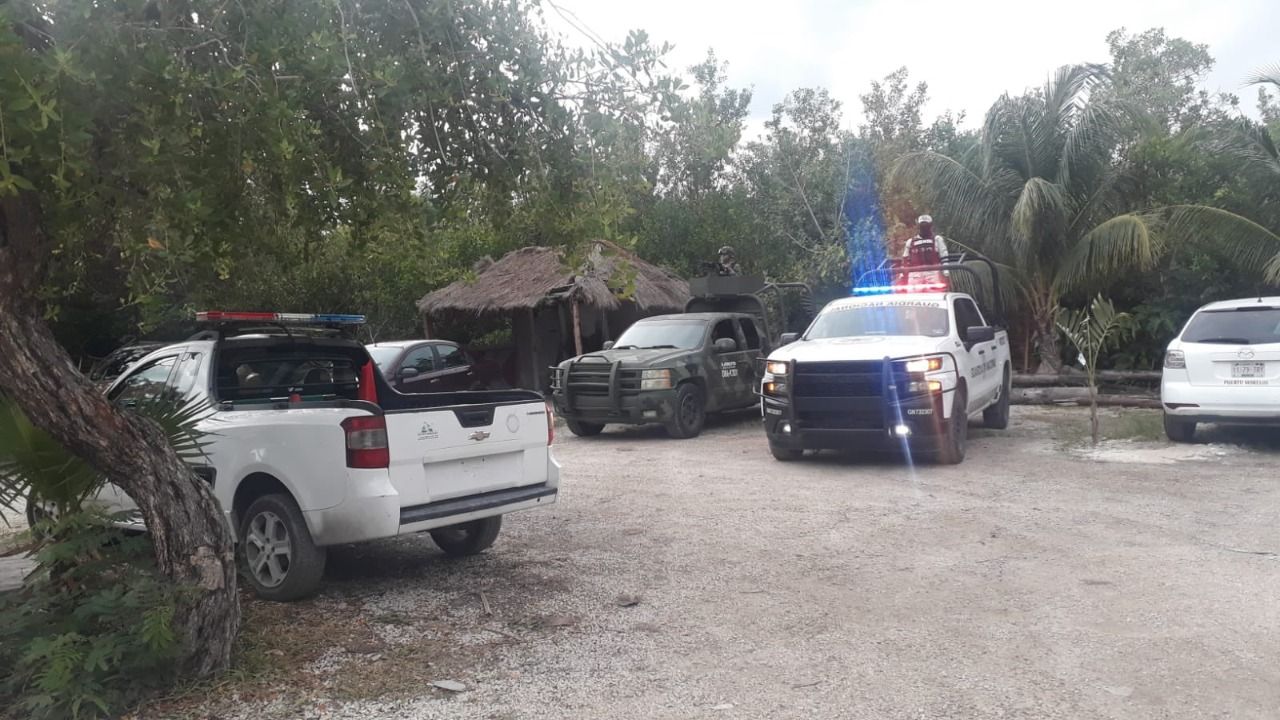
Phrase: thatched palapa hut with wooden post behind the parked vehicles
(552, 297)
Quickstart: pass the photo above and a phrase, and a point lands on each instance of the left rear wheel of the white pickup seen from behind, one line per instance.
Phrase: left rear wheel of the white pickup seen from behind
(275, 526)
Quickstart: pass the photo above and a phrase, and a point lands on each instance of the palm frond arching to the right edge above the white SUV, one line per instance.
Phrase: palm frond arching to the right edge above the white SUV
(1246, 243)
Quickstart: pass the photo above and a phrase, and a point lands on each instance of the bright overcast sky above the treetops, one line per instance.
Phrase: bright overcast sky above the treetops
(970, 53)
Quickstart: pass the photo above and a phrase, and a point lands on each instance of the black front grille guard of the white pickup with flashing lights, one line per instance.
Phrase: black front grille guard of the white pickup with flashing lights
(842, 397)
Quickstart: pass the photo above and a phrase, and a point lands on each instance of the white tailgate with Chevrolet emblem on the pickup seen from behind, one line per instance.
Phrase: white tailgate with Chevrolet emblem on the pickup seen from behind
(467, 450)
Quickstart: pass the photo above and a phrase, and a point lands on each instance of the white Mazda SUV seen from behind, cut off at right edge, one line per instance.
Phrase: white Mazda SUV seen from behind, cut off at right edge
(1224, 368)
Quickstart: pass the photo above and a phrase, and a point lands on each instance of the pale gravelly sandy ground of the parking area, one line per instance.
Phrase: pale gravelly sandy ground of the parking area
(703, 580)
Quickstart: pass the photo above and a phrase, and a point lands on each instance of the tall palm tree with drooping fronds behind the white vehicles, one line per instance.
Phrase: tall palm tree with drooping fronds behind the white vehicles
(1048, 195)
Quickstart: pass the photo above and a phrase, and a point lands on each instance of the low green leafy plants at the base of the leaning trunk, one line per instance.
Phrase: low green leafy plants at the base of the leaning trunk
(92, 631)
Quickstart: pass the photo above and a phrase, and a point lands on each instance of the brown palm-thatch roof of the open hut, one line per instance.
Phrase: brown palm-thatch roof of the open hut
(605, 279)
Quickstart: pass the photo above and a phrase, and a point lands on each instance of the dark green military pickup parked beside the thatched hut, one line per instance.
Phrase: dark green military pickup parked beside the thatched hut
(670, 370)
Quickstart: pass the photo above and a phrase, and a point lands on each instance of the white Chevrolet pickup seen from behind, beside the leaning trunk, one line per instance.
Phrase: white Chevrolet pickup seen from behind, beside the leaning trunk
(310, 448)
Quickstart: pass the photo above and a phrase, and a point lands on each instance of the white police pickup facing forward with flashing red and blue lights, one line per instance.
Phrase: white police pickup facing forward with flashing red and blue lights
(893, 364)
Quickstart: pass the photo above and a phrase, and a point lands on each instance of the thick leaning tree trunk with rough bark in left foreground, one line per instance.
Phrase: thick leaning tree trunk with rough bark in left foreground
(191, 541)
